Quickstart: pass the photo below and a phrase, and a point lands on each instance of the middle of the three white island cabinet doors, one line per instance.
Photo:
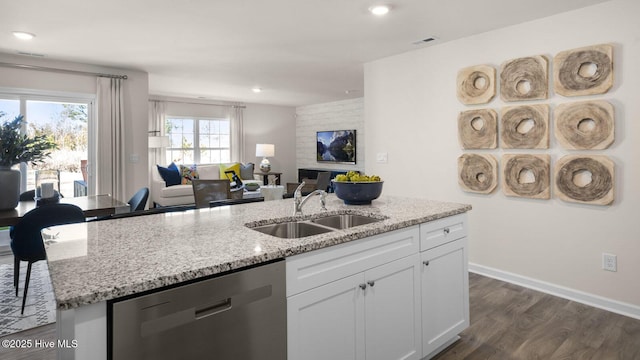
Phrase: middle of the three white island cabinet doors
(392, 303)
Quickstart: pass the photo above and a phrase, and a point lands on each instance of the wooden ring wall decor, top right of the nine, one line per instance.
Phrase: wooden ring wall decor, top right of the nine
(583, 71)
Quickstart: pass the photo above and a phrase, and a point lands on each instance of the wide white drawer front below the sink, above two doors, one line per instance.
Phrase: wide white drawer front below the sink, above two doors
(309, 270)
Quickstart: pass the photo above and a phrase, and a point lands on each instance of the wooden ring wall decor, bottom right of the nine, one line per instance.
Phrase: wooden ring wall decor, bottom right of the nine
(597, 191)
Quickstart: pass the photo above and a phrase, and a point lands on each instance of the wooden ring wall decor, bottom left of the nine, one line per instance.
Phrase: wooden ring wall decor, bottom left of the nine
(478, 173)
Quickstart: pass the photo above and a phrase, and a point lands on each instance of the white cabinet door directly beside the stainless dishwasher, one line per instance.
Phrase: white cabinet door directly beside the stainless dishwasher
(327, 322)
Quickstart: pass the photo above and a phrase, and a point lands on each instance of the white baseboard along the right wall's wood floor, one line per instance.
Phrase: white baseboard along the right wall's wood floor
(600, 302)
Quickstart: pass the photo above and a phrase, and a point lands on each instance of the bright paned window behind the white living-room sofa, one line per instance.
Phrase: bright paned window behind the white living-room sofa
(198, 140)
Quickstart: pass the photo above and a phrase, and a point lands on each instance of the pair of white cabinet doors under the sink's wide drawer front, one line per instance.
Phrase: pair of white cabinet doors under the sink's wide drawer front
(371, 315)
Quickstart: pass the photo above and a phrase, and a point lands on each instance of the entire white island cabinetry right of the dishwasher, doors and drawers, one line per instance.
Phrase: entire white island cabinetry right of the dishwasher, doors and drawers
(398, 295)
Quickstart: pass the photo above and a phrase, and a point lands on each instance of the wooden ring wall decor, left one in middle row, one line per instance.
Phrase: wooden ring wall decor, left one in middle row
(478, 129)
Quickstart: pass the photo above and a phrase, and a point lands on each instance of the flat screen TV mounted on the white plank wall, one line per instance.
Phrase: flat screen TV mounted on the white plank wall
(337, 146)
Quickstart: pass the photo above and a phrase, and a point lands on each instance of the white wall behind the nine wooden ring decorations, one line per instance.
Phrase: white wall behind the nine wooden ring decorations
(411, 112)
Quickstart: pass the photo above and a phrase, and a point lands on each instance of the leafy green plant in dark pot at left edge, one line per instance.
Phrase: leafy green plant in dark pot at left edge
(16, 148)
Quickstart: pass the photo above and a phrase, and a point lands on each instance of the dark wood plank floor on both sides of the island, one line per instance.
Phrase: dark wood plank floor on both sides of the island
(507, 322)
